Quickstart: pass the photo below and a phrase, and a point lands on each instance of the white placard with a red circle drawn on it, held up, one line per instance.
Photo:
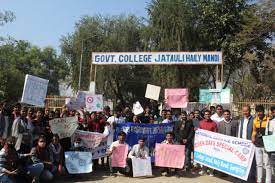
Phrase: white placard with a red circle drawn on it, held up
(94, 102)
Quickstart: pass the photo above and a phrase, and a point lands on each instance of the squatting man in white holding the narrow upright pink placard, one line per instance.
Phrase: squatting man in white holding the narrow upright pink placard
(112, 150)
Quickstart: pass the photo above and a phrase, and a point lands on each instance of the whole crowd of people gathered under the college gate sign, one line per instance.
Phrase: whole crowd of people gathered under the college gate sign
(31, 152)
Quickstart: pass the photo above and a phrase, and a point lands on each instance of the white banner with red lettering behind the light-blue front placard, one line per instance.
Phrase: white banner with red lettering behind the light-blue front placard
(89, 139)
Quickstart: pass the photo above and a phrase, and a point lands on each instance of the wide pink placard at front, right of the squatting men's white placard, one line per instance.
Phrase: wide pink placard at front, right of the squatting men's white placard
(168, 155)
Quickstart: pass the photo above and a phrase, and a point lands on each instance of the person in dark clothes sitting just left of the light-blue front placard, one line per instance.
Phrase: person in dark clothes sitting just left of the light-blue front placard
(56, 154)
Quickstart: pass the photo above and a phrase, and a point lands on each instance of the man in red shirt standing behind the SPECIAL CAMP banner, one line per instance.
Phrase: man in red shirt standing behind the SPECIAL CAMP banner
(209, 125)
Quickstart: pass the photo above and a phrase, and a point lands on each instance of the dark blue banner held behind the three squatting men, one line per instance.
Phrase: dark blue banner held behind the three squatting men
(153, 133)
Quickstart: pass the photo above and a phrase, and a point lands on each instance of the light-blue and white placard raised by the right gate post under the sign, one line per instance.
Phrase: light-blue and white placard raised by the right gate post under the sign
(215, 96)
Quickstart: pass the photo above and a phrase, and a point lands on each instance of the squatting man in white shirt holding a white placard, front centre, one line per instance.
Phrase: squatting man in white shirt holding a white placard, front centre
(138, 151)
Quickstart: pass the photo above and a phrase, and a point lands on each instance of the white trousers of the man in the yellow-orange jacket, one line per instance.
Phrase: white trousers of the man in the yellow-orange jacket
(262, 158)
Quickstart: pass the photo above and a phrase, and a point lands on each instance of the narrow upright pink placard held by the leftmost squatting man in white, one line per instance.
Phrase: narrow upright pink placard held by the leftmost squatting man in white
(119, 156)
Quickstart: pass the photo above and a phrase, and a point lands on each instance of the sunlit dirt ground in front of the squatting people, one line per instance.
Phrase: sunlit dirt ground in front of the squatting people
(102, 176)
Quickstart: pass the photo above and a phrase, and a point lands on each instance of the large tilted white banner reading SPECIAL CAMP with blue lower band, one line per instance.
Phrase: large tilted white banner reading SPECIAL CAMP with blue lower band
(224, 153)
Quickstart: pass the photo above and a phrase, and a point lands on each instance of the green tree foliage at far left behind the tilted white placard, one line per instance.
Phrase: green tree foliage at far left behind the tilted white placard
(18, 58)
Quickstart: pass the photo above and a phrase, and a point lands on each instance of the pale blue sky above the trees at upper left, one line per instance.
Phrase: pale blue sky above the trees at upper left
(43, 22)
